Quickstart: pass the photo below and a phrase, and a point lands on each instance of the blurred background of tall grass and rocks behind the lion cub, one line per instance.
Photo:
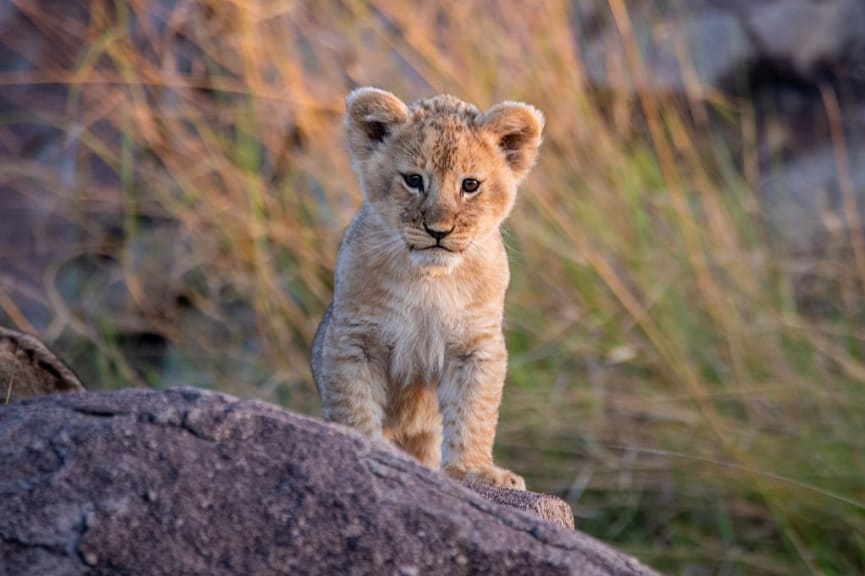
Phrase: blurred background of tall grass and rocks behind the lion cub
(687, 311)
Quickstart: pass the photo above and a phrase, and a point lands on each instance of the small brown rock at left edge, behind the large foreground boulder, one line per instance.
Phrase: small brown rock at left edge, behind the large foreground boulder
(28, 368)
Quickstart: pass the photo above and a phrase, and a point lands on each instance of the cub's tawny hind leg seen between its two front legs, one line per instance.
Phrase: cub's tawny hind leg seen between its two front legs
(416, 427)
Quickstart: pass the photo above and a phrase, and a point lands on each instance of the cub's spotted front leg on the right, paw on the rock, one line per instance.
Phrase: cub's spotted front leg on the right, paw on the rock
(469, 396)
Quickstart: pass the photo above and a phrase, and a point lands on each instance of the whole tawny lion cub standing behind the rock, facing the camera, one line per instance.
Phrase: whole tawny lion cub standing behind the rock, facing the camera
(412, 349)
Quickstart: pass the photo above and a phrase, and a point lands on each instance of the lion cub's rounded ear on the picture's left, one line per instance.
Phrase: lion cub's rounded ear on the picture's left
(370, 117)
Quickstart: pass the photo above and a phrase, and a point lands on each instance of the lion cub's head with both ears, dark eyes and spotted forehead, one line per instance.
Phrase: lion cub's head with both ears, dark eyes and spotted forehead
(440, 173)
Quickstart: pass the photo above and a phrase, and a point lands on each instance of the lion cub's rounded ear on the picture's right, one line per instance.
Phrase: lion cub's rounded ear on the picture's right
(517, 128)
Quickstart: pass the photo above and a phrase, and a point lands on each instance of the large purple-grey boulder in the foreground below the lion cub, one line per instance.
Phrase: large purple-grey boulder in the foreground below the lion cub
(189, 482)
